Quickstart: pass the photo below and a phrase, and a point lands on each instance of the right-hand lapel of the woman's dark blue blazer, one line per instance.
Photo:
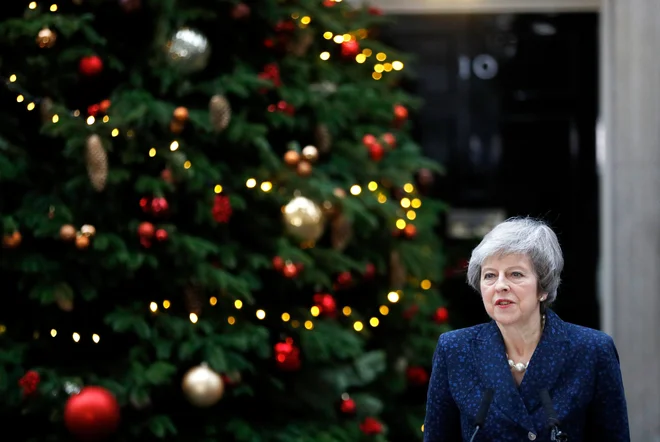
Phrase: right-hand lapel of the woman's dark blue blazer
(547, 362)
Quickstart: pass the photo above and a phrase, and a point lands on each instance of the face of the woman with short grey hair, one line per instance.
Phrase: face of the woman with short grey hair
(509, 289)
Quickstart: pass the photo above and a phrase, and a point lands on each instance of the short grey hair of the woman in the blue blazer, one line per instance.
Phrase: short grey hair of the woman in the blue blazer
(526, 236)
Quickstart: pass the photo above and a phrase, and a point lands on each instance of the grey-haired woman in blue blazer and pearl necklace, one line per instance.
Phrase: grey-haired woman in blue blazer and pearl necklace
(526, 359)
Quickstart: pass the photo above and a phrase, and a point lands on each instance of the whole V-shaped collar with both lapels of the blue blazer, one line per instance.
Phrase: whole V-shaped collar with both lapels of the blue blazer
(547, 362)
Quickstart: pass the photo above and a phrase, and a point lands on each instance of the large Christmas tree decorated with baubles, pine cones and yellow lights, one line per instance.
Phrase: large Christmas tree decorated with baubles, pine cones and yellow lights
(214, 225)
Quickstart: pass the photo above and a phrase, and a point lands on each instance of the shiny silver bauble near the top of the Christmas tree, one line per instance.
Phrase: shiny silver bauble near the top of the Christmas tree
(188, 50)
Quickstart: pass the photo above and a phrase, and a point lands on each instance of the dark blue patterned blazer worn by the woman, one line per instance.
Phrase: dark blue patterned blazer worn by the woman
(577, 365)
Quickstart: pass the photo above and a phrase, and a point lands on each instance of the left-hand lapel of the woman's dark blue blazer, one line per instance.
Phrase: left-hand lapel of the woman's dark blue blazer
(490, 359)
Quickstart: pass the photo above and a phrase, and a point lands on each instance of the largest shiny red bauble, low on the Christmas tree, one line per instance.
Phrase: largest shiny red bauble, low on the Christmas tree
(92, 414)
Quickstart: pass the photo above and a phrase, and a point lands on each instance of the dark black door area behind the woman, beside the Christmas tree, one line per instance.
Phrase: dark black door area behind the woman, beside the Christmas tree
(510, 111)
